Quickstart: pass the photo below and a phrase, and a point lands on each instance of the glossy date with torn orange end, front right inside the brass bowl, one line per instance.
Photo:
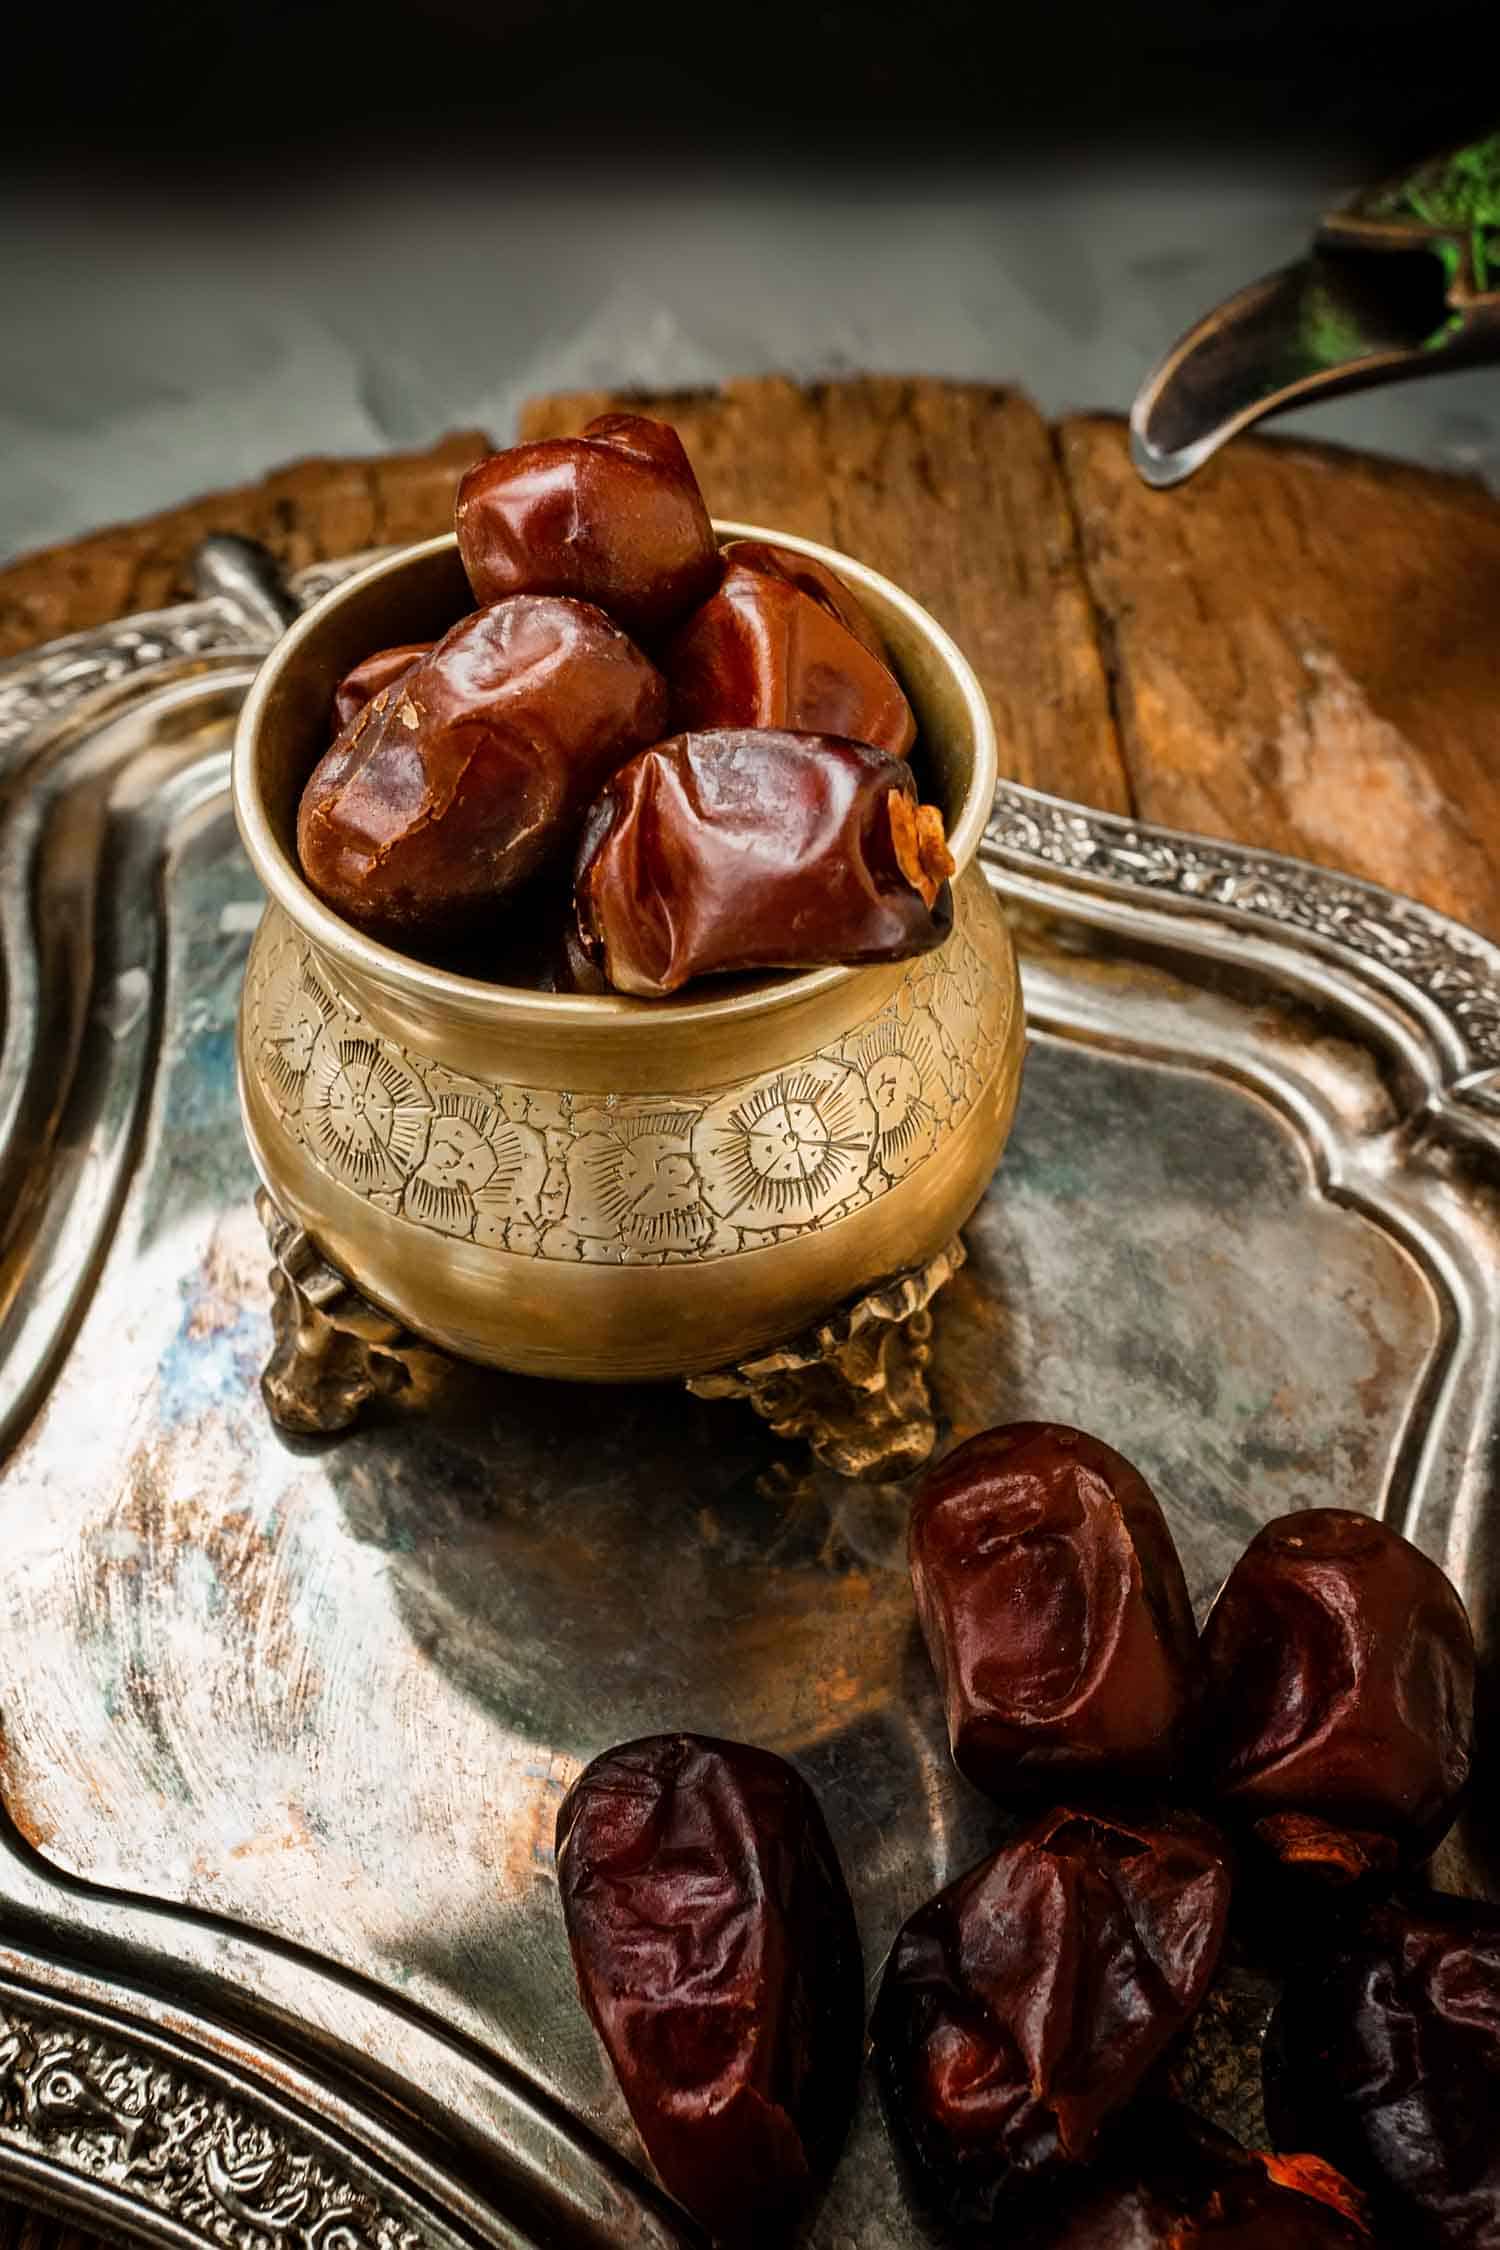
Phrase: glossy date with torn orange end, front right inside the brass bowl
(750, 849)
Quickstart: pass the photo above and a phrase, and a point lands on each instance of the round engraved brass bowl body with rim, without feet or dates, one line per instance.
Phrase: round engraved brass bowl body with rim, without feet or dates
(613, 1189)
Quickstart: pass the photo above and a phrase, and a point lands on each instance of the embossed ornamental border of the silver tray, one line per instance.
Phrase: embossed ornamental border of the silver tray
(195, 2085)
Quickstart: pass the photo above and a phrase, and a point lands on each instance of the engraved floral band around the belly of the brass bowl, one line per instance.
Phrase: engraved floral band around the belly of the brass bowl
(644, 1180)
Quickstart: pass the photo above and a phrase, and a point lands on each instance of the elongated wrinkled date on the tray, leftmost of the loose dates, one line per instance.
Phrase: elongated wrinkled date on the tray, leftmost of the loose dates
(719, 1959)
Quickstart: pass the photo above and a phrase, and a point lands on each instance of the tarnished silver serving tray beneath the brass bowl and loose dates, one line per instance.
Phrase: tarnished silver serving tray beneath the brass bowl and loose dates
(284, 1725)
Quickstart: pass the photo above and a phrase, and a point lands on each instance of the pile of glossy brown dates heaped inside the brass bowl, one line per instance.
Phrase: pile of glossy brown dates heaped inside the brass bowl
(642, 759)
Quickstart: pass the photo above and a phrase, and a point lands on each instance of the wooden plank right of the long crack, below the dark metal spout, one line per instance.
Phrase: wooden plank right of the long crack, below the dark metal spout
(1305, 651)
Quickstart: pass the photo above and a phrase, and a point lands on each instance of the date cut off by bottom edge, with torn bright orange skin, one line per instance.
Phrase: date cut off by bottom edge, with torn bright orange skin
(1171, 2181)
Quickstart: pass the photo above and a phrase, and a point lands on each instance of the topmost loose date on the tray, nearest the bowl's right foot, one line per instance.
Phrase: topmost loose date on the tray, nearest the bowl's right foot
(1056, 1614)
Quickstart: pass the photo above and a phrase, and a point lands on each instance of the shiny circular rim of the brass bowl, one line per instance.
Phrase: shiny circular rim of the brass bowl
(368, 957)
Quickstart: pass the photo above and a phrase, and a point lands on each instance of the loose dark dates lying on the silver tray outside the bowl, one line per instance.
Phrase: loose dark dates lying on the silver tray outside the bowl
(1285, 1772)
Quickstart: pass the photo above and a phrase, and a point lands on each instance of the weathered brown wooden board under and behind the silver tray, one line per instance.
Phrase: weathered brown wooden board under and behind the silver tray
(1301, 649)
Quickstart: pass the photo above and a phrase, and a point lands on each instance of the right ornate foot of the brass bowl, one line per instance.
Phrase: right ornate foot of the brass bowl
(856, 1385)
